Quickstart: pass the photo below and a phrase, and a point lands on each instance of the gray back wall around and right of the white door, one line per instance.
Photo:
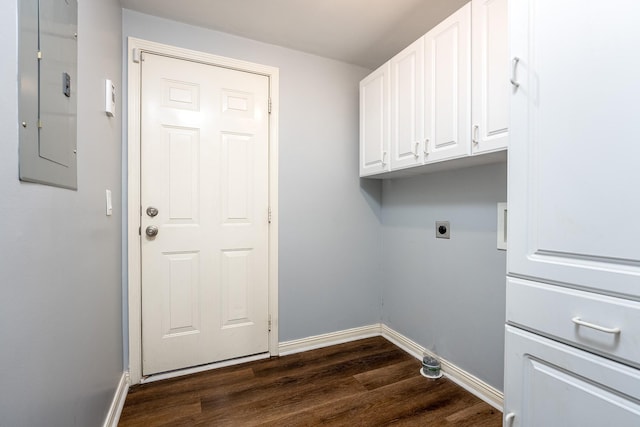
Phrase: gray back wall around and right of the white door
(330, 237)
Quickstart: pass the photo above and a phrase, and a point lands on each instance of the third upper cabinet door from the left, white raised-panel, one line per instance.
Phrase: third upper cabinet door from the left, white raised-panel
(447, 89)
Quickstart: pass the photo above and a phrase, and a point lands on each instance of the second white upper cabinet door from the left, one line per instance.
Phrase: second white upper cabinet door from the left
(406, 106)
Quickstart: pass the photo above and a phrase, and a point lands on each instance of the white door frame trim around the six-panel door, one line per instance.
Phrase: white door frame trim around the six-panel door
(134, 269)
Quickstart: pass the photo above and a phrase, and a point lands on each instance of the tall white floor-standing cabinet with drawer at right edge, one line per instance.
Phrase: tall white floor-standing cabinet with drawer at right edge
(573, 285)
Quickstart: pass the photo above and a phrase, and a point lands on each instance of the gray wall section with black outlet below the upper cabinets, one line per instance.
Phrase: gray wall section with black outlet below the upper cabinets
(447, 295)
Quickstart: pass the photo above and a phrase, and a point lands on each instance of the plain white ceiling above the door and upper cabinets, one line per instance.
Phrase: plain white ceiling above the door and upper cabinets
(361, 32)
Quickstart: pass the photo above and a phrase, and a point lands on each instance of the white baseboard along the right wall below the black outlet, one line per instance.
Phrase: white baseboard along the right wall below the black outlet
(472, 384)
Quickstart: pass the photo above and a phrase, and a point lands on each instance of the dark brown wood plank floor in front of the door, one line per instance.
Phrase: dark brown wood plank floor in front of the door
(369, 382)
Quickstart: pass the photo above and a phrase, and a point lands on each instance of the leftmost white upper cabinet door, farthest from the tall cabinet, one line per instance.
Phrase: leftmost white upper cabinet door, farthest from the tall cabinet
(374, 122)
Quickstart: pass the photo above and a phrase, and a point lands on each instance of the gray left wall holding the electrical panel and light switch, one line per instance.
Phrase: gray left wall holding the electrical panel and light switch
(61, 305)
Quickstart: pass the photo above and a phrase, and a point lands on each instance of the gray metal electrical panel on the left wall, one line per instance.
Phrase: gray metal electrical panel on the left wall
(47, 84)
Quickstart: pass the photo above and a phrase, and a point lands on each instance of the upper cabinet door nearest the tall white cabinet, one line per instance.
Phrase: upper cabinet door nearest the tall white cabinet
(489, 76)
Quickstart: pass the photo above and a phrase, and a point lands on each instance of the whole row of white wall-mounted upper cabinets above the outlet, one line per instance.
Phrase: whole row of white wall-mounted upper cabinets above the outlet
(447, 97)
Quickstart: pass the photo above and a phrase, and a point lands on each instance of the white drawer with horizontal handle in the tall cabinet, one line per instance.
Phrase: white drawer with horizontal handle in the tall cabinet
(604, 325)
